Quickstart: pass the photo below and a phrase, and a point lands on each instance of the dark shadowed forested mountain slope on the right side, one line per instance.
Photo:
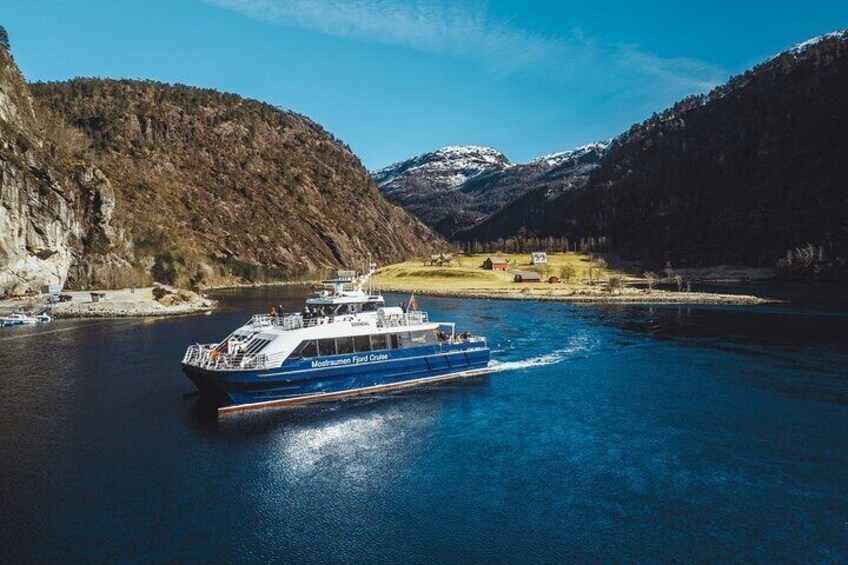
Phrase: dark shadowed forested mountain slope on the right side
(758, 167)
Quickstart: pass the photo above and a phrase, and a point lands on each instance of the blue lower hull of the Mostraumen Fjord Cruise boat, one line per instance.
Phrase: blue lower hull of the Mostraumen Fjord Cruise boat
(328, 378)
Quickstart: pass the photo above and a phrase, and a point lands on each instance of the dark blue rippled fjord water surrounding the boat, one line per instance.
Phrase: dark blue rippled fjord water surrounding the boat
(604, 433)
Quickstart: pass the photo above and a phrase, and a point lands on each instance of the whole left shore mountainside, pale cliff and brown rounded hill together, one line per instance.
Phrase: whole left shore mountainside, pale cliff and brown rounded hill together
(113, 183)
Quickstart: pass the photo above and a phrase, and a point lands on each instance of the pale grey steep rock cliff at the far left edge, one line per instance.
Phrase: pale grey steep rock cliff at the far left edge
(53, 208)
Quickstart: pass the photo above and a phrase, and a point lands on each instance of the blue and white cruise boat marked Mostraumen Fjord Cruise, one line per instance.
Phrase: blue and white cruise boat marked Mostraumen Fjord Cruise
(345, 342)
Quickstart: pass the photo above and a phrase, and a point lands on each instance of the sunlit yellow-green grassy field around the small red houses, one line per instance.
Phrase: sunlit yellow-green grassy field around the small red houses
(465, 273)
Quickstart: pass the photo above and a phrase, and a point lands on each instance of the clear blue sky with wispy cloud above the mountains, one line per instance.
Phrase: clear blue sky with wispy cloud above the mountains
(397, 78)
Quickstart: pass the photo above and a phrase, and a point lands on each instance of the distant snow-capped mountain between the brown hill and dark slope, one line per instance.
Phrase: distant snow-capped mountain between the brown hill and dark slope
(455, 188)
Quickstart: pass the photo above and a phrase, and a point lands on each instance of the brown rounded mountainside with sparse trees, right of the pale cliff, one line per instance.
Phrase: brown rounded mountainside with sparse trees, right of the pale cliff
(210, 186)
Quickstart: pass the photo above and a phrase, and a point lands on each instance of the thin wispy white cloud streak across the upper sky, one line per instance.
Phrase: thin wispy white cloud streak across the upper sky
(468, 31)
